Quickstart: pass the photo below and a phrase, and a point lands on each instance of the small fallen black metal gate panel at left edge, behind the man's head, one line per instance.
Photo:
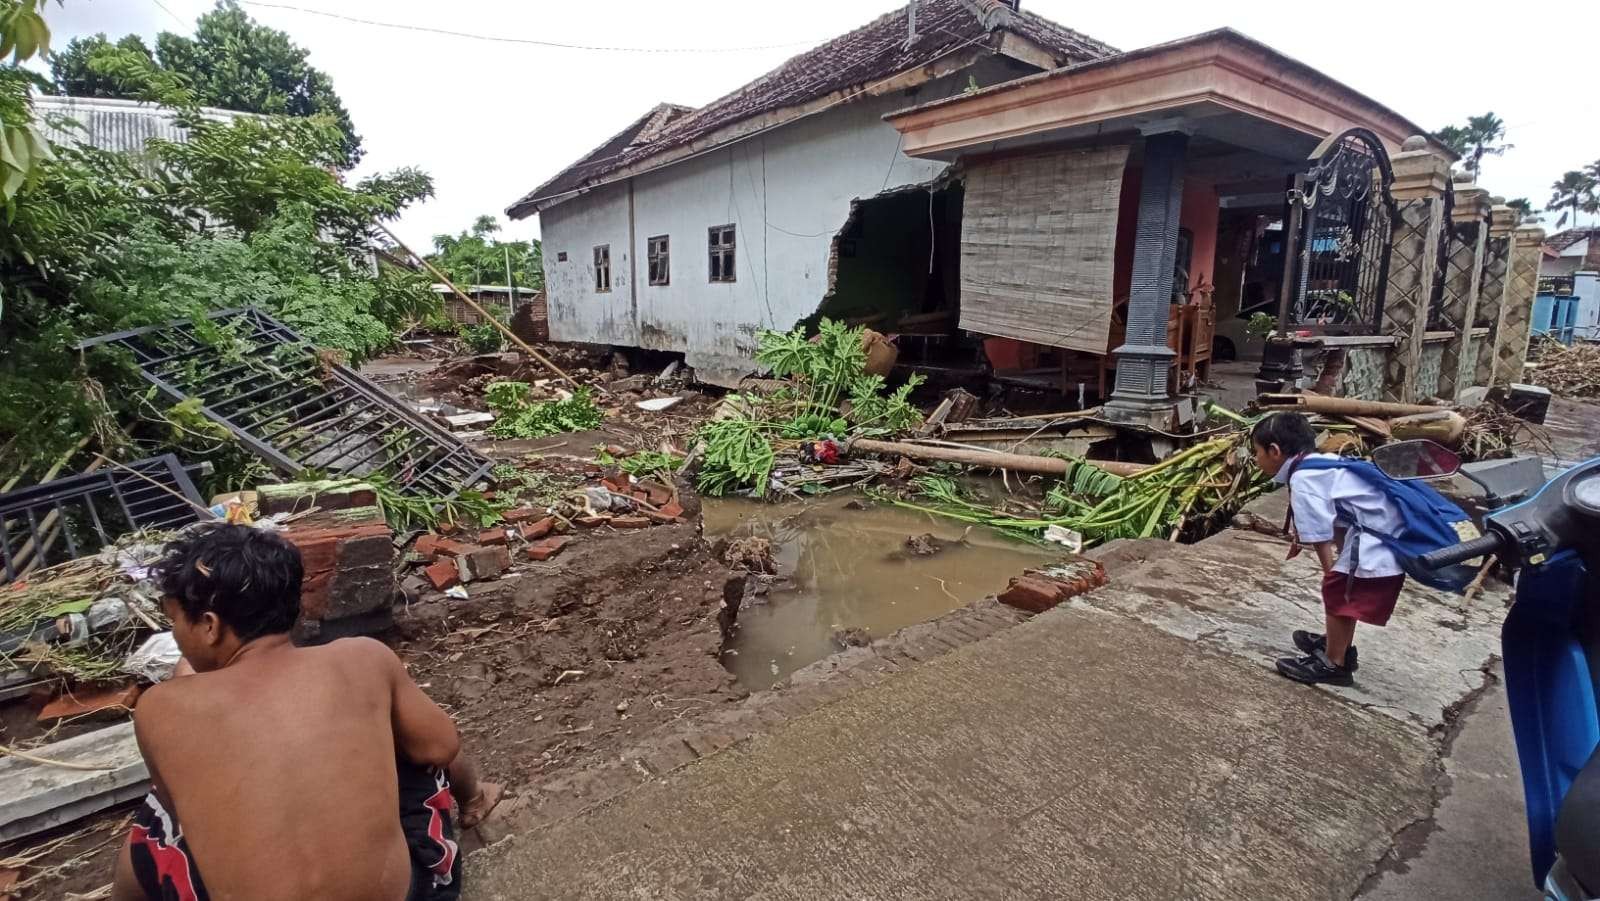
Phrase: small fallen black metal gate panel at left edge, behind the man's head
(73, 518)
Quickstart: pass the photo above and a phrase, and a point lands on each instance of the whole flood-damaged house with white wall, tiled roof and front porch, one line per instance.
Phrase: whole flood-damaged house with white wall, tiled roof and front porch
(1014, 199)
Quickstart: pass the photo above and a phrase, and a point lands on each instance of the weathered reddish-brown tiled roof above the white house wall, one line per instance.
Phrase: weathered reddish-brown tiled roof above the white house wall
(868, 55)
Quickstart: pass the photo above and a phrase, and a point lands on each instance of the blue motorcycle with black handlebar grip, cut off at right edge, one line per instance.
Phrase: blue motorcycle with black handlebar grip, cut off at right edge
(1551, 649)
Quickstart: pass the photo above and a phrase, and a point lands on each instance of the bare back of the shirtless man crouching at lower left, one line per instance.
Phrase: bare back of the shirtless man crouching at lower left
(290, 788)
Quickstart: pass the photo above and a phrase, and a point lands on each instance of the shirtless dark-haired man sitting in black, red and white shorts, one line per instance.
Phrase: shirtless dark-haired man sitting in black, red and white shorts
(279, 772)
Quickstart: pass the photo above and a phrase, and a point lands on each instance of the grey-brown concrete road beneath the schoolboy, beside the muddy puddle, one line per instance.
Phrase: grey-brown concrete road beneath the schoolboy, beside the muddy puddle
(1135, 745)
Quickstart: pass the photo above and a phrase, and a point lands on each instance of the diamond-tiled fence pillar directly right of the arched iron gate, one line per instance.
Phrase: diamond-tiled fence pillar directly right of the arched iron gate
(1420, 186)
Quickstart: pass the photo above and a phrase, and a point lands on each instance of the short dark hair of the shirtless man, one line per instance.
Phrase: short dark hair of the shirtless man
(250, 579)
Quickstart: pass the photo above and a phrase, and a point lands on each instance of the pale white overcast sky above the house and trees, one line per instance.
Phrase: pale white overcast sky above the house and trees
(492, 121)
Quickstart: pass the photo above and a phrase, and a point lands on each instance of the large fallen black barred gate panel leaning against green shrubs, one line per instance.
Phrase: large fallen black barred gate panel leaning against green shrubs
(292, 407)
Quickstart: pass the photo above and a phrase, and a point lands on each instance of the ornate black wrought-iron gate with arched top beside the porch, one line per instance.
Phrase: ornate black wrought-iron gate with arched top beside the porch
(1342, 215)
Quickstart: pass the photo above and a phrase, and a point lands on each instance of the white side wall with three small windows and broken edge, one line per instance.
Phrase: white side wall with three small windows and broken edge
(788, 193)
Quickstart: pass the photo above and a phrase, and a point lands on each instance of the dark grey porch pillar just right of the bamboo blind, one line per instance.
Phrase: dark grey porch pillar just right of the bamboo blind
(1145, 358)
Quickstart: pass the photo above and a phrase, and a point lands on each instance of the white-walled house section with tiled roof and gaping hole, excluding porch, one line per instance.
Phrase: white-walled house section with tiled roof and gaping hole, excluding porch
(695, 228)
